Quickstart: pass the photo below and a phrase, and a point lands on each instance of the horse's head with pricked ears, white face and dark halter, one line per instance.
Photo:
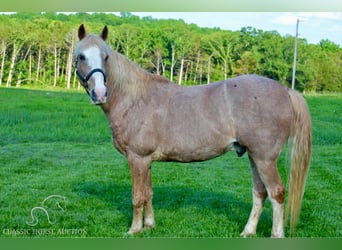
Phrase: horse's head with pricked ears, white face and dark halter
(91, 57)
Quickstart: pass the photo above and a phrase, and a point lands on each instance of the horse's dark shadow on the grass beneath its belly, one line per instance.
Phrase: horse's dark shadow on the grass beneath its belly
(172, 198)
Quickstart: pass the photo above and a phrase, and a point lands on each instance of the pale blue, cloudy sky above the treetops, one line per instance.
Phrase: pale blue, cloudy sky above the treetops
(313, 26)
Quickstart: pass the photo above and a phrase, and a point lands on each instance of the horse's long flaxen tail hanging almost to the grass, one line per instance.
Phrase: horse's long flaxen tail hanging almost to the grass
(300, 150)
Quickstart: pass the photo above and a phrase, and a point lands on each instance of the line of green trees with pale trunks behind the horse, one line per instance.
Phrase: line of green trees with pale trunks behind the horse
(37, 49)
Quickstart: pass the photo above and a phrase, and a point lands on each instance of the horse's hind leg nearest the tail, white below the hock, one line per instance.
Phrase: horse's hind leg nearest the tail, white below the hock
(268, 173)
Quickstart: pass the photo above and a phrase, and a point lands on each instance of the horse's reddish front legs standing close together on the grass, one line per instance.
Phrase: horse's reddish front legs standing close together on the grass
(141, 193)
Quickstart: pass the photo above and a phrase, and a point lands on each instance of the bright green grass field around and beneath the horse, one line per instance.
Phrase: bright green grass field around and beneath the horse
(57, 143)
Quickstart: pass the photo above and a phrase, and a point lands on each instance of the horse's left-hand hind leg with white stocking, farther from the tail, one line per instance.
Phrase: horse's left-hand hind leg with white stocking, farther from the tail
(259, 197)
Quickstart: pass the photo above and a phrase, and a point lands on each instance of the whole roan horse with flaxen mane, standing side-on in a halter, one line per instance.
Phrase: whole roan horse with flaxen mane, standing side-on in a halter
(154, 119)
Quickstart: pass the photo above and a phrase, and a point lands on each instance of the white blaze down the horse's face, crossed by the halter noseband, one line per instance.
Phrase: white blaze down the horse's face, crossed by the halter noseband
(94, 61)
